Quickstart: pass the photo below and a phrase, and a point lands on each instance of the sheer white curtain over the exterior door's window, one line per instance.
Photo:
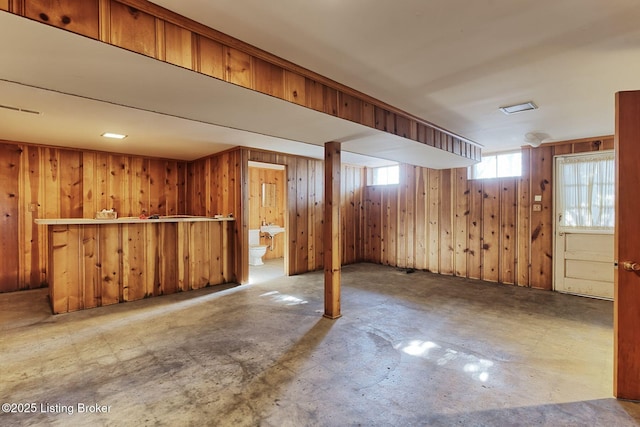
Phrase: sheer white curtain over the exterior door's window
(587, 187)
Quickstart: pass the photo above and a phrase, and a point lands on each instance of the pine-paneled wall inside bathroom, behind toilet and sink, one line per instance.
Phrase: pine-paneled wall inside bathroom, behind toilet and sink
(270, 214)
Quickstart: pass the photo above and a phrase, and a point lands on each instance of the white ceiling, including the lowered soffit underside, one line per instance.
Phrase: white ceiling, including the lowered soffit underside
(450, 62)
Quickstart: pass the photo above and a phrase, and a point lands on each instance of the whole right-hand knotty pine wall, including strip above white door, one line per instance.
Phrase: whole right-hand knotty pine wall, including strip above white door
(440, 221)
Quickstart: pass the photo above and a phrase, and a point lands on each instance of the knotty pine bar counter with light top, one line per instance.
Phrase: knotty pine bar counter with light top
(95, 262)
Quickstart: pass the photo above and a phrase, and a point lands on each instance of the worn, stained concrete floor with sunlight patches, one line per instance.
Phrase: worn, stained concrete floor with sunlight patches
(410, 350)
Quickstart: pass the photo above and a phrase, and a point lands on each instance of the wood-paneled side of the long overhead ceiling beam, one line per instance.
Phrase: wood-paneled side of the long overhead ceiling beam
(145, 28)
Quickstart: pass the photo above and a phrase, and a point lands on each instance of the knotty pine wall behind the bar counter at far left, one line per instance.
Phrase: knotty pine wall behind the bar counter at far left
(47, 182)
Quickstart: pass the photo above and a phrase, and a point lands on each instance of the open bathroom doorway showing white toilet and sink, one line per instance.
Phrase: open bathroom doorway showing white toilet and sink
(267, 217)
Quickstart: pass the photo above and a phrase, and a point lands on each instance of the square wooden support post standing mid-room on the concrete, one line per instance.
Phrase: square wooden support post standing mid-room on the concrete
(331, 231)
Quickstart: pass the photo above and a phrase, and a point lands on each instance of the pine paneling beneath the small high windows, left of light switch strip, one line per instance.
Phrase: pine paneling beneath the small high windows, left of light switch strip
(439, 221)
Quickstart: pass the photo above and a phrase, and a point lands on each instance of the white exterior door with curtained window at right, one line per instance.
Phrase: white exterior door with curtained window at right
(584, 212)
